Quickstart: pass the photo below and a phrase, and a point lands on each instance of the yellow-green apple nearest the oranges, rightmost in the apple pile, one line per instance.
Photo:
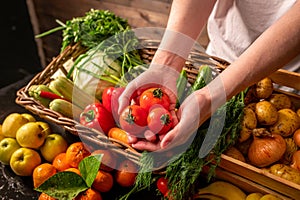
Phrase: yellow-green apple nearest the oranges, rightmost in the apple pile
(53, 145)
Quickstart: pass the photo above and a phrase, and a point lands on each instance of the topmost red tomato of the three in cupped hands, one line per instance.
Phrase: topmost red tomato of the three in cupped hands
(154, 96)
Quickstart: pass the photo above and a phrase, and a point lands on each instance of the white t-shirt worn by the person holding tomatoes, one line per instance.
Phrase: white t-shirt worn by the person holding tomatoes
(234, 24)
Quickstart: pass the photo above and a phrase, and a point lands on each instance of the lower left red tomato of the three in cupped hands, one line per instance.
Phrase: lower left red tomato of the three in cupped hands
(133, 119)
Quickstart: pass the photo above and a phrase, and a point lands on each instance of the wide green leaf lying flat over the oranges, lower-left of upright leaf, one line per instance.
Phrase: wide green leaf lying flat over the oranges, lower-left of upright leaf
(63, 185)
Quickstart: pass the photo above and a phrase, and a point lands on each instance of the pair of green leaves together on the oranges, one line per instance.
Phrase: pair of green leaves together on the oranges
(67, 185)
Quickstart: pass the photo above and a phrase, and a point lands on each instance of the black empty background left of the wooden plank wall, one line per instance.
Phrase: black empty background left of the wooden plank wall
(18, 57)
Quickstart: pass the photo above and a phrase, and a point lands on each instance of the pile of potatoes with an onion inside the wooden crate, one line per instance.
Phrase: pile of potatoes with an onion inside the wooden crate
(269, 138)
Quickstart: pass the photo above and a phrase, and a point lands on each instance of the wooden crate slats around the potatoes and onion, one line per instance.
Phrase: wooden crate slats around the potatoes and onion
(260, 176)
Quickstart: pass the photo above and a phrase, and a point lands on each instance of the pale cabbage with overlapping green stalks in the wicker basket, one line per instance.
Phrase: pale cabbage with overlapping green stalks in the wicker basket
(117, 57)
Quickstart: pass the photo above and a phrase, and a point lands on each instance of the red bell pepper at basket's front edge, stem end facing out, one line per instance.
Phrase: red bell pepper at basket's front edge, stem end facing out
(96, 116)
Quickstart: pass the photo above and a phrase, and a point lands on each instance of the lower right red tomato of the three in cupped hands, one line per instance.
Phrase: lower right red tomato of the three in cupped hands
(159, 120)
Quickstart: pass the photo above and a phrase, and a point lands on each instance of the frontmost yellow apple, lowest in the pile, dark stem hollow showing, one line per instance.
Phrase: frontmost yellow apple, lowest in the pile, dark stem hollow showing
(24, 160)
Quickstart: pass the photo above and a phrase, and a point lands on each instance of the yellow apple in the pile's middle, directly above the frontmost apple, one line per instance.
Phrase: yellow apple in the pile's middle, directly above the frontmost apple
(31, 135)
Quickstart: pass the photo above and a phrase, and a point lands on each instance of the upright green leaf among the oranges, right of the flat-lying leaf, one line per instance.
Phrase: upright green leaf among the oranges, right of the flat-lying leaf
(89, 167)
